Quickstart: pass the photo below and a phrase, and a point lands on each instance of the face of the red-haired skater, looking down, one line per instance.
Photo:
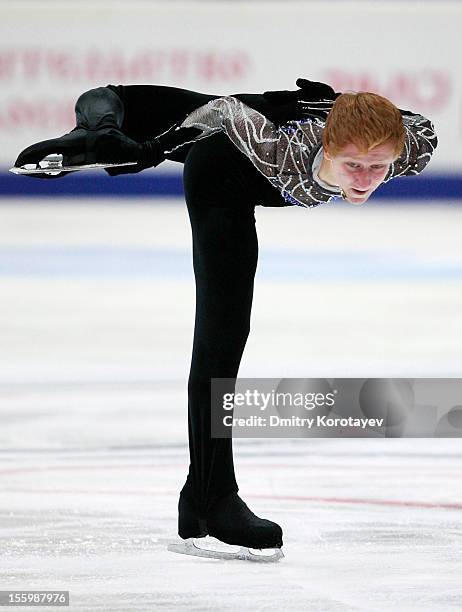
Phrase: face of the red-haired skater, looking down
(360, 174)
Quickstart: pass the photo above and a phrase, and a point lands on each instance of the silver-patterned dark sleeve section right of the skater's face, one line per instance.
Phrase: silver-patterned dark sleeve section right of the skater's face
(420, 143)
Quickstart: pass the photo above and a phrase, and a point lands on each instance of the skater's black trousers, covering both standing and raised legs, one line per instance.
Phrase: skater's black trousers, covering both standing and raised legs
(221, 188)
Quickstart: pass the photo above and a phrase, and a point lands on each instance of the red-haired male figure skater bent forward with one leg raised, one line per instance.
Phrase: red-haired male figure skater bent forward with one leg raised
(275, 149)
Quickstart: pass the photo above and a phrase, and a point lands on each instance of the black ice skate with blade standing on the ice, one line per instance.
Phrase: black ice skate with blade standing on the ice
(235, 532)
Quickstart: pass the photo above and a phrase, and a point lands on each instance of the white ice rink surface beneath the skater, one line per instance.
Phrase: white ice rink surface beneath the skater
(96, 320)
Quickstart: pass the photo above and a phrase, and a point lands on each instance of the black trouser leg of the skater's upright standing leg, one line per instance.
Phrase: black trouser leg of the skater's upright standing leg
(225, 249)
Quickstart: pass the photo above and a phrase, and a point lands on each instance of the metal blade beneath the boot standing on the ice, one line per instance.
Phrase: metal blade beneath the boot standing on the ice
(211, 548)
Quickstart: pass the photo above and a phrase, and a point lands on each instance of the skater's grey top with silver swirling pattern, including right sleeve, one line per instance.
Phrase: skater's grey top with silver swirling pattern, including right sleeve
(285, 155)
